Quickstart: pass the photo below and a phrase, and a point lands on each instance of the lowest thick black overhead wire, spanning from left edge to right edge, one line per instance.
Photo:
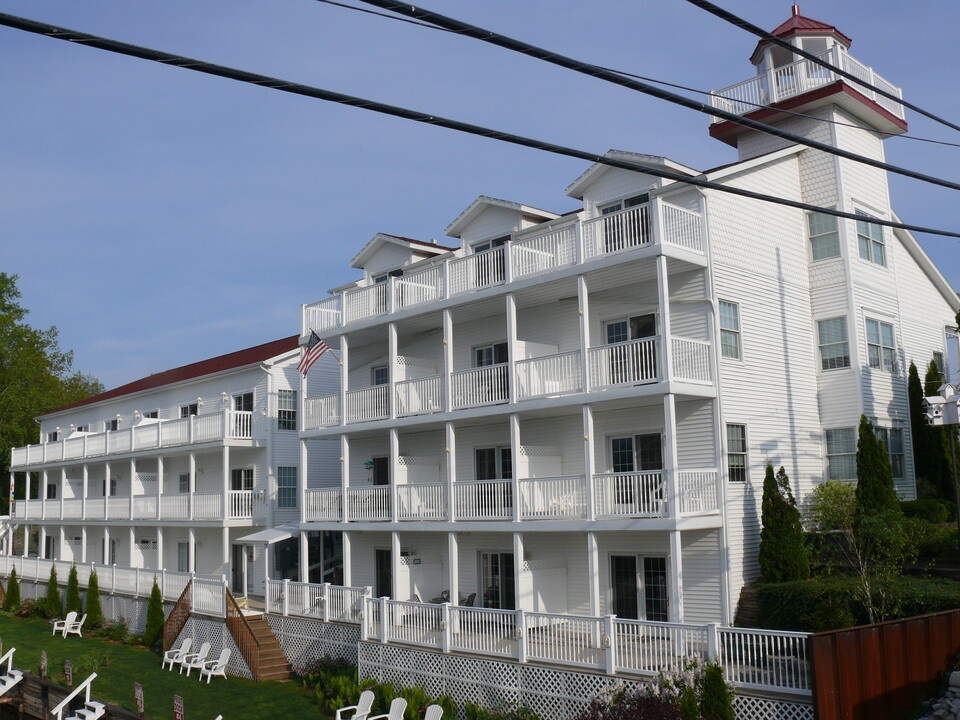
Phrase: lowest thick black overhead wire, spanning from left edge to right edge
(165, 58)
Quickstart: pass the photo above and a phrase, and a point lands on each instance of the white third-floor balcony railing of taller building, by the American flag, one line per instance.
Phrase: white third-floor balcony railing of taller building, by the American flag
(634, 362)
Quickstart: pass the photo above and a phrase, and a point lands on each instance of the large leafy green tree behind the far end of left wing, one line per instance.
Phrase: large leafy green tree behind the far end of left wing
(36, 376)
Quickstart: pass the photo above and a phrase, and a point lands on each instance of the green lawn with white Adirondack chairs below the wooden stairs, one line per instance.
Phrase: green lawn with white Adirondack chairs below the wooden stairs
(234, 698)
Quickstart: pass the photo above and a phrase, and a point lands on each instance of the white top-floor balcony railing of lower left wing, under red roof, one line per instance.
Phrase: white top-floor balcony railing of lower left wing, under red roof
(196, 429)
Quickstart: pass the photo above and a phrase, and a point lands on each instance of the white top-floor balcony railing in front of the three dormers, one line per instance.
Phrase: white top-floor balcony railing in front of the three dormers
(656, 223)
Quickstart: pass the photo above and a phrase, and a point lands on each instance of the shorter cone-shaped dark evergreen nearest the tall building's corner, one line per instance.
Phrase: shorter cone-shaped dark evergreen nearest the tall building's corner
(783, 554)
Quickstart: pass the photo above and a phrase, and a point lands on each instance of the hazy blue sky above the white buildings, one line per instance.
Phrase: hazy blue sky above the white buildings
(158, 216)
